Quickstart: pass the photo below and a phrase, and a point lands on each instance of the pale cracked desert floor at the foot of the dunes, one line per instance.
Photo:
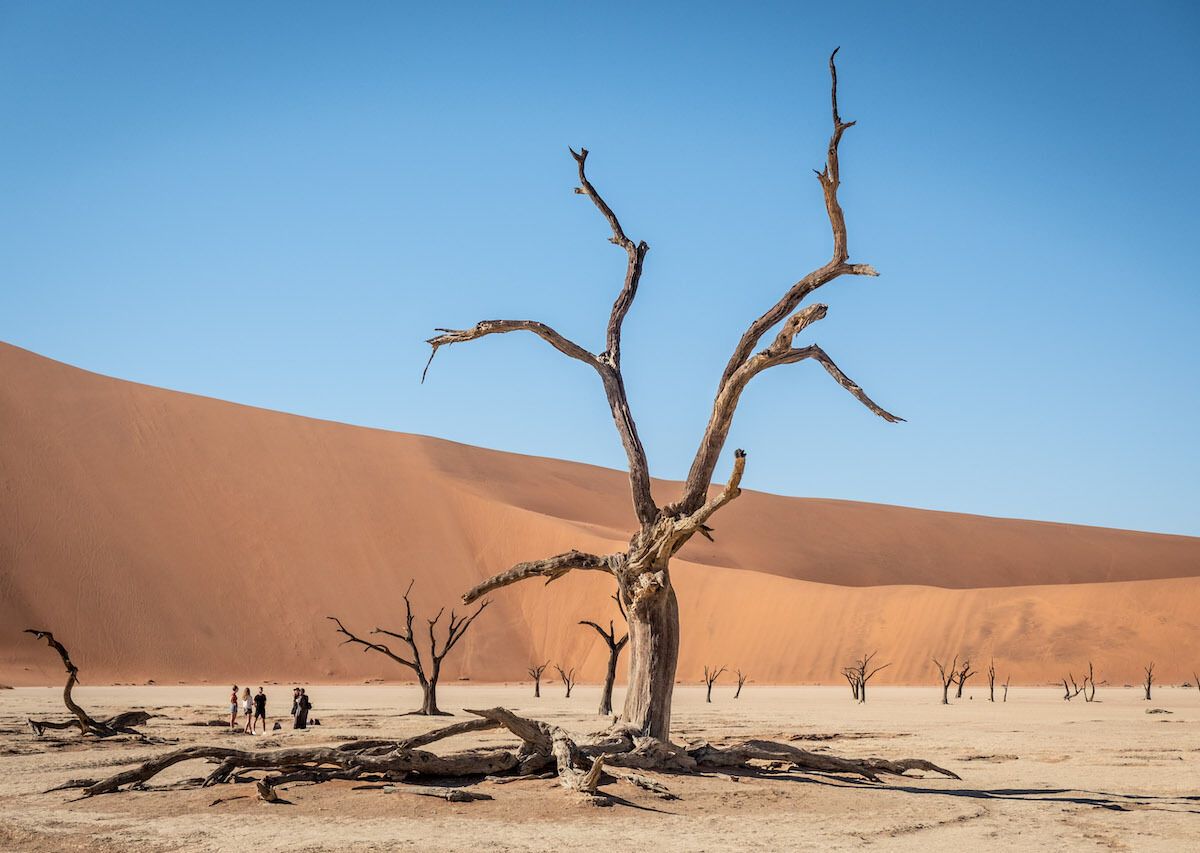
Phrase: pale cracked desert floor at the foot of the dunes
(1037, 773)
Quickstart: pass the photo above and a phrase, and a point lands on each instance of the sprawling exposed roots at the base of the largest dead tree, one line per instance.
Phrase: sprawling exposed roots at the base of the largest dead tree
(579, 765)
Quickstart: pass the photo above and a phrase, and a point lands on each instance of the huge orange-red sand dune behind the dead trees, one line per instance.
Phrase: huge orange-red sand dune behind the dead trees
(177, 538)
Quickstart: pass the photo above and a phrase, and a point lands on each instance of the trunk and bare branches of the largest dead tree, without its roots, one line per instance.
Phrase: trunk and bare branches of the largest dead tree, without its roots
(643, 572)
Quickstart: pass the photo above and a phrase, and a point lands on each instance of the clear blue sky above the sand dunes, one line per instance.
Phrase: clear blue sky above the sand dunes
(277, 203)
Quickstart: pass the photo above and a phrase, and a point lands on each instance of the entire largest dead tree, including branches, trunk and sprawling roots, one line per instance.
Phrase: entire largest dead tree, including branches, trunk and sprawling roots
(643, 573)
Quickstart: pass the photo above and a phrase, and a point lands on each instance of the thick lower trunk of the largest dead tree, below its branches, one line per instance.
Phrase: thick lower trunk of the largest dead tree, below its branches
(653, 656)
